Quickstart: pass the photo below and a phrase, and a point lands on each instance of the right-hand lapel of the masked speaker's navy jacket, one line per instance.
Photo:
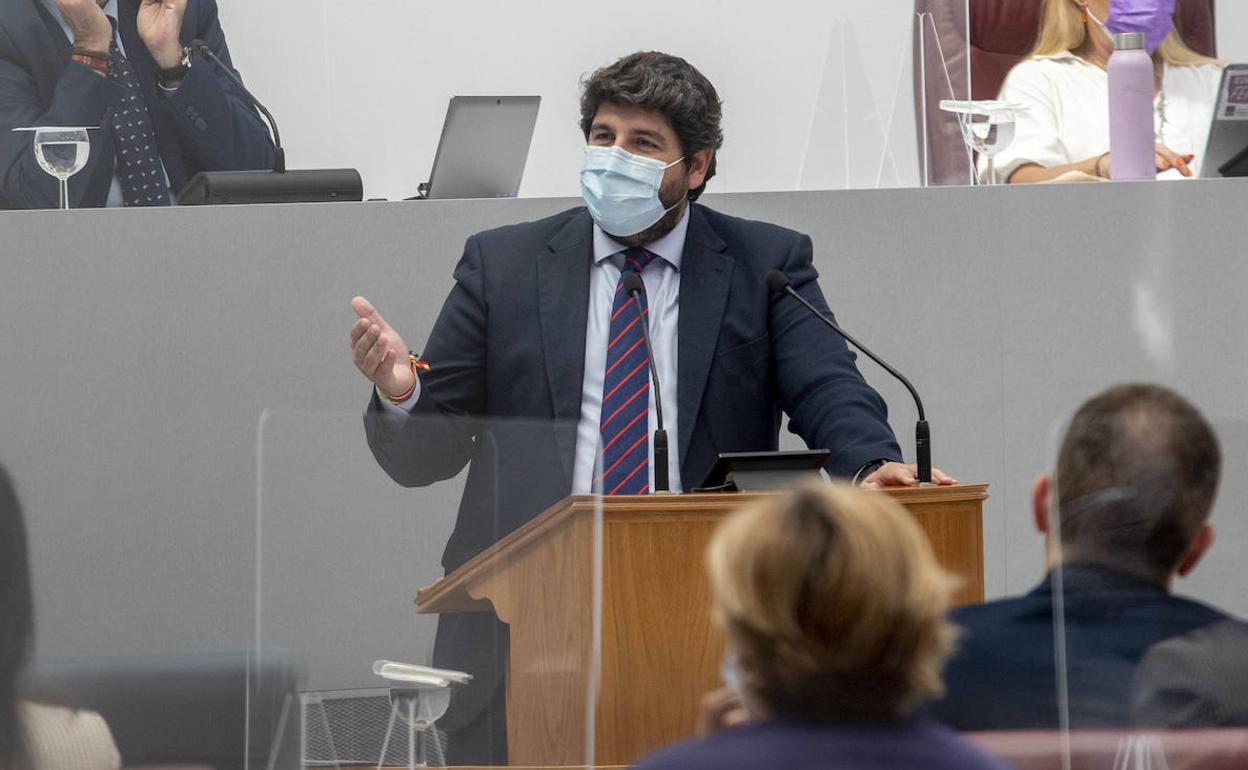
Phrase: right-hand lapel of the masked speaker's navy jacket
(706, 276)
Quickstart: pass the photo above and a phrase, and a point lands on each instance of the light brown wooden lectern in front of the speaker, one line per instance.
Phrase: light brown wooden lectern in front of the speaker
(658, 650)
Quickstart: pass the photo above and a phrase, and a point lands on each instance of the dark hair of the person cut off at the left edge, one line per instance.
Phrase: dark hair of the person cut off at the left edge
(17, 620)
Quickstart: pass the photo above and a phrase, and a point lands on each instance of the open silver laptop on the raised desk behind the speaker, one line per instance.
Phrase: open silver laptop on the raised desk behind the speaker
(484, 149)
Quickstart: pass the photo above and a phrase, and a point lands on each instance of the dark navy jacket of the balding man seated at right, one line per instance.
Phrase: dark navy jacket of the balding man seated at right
(1004, 673)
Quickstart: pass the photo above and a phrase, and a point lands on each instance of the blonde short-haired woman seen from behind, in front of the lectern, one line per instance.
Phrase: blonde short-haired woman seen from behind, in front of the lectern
(834, 612)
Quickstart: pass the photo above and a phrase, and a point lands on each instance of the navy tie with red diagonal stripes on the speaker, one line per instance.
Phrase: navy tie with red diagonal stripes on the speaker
(627, 391)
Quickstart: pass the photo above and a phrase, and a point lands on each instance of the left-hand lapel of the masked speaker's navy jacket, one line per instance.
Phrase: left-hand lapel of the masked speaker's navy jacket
(563, 306)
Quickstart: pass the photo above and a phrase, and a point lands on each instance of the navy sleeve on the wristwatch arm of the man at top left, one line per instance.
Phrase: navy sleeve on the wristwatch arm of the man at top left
(219, 127)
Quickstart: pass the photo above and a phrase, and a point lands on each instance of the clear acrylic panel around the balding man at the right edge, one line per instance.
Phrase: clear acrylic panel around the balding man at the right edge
(1150, 660)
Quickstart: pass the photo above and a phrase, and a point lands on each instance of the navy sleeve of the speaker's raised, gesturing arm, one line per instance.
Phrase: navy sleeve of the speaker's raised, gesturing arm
(437, 440)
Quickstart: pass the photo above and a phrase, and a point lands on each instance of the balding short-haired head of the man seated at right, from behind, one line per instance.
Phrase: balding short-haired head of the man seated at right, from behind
(1136, 479)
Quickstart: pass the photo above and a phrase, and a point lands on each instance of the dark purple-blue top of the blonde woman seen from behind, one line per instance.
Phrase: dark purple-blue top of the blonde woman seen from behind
(791, 746)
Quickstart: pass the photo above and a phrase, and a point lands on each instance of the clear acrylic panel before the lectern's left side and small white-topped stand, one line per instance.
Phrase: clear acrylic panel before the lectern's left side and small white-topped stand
(341, 553)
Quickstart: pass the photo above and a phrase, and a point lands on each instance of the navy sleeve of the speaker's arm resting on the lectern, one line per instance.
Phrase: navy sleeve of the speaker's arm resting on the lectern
(828, 402)
